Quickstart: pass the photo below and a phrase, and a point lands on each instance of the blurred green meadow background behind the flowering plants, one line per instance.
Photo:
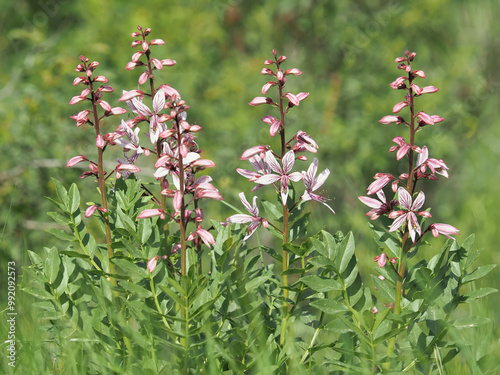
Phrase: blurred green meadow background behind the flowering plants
(346, 50)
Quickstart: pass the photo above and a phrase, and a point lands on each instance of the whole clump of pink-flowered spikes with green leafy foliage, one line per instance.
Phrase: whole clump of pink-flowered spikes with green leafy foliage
(148, 283)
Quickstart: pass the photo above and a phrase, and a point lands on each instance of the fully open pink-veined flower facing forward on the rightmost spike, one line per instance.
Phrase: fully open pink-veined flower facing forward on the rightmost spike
(408, 214)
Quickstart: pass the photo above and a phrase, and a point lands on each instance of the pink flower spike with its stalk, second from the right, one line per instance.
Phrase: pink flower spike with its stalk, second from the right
(276, 169)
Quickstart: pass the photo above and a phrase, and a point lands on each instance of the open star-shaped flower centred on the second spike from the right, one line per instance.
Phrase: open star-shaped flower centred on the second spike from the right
(284, 173)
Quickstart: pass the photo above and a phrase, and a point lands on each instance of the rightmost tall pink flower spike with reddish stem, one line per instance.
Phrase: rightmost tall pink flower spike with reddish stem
(420, 166)
